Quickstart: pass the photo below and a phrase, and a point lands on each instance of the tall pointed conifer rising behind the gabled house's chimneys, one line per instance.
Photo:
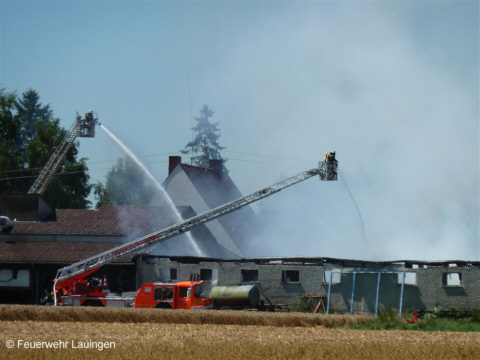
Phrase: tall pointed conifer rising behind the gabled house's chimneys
(204, 146)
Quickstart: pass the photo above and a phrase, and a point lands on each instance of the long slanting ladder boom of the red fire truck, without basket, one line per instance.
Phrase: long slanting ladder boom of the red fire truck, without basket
(177, 229)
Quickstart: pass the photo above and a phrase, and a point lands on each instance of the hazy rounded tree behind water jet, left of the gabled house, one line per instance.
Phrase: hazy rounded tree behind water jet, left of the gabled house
(125, 184)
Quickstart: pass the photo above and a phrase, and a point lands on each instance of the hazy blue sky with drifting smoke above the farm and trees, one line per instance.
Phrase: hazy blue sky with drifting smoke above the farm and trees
(393, 87)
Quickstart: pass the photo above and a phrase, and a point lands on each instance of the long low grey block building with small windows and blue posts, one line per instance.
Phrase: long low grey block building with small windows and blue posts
(343, 285)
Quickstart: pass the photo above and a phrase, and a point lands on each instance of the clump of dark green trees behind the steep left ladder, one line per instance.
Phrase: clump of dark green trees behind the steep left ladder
(24, 151)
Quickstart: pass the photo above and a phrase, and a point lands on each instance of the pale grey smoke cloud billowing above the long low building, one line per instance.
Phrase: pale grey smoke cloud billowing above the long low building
(405, 128)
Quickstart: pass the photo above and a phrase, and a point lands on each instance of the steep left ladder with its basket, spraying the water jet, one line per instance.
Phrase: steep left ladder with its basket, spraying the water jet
(82, 127)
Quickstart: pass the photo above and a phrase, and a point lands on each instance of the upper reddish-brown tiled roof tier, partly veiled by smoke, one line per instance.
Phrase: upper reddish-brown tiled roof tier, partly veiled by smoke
(108, 220)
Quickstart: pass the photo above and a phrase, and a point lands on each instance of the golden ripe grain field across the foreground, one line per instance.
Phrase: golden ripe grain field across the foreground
(167, 334)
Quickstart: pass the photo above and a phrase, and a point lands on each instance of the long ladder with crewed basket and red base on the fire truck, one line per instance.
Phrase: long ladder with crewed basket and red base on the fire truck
(67, 276)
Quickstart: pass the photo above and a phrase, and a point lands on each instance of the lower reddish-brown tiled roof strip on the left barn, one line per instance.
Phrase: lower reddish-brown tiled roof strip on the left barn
(54, 251)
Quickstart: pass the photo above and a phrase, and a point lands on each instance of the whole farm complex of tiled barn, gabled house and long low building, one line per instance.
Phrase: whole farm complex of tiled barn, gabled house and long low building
(43, 239)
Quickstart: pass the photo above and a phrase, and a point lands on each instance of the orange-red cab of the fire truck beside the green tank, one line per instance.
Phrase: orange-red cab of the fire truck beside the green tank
(186, 295)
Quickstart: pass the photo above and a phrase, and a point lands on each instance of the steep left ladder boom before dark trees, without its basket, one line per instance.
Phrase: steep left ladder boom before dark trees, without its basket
(54, 162)
